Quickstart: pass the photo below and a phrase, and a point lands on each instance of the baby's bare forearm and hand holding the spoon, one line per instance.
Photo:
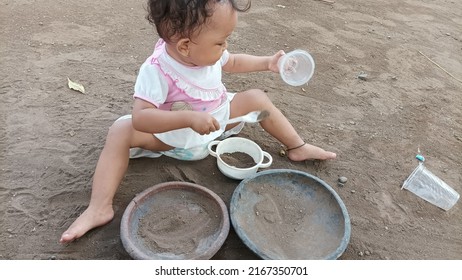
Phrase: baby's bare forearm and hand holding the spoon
(148, 118)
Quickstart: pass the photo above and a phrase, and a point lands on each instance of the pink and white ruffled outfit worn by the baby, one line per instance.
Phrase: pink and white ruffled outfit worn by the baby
(164, 82)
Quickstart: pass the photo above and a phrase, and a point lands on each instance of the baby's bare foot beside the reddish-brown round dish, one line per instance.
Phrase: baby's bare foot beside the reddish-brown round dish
(88, 220)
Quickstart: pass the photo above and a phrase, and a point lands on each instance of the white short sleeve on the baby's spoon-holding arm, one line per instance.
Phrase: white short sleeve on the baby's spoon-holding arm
(151, 85)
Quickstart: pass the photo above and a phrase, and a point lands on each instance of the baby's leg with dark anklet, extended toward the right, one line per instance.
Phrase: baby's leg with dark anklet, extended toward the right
(277, 125)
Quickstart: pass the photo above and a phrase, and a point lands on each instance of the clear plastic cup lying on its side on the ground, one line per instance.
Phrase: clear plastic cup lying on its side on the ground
(428, 186)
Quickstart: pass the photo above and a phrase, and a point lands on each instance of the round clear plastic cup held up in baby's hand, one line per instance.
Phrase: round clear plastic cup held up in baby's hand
(296, 67)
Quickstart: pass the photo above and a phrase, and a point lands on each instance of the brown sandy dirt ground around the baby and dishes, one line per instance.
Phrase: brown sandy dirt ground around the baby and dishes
(51, 136)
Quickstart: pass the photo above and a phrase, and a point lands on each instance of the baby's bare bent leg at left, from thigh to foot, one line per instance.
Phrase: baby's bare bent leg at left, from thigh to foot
(110, 169)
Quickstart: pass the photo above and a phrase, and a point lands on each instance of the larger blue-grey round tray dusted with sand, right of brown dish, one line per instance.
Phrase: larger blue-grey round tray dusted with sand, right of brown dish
(289, 214)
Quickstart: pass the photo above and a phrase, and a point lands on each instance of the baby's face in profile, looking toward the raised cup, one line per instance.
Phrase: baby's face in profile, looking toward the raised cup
(208, 46)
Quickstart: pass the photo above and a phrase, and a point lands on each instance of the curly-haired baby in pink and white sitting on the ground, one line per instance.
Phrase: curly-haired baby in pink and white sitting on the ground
(180, 101)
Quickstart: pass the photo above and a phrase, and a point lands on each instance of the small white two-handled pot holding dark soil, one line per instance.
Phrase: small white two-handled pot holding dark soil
(239, 144)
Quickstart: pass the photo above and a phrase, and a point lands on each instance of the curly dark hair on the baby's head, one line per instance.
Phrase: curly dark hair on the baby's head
(183, 17)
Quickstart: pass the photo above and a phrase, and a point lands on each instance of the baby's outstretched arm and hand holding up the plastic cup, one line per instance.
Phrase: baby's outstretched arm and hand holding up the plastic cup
(241, 63)
